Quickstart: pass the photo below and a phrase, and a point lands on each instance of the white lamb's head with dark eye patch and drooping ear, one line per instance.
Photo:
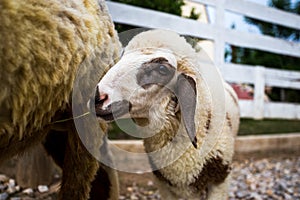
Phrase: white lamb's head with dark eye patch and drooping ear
(146, 79)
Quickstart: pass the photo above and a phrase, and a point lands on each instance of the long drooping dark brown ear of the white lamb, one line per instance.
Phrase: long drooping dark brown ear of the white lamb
(187, 97)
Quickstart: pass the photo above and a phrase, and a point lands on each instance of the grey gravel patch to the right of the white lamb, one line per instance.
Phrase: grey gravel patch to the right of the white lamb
(266, 179)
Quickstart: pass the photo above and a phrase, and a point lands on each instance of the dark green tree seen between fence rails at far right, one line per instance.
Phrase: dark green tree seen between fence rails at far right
(267, 59)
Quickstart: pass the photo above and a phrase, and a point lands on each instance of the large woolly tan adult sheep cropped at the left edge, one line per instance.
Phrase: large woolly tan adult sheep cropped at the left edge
(44, 45)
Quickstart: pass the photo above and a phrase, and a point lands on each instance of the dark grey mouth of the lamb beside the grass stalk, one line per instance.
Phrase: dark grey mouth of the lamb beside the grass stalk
(114, 110)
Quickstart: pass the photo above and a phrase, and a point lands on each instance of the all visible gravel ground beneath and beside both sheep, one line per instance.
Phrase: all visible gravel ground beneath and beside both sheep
(272, 178)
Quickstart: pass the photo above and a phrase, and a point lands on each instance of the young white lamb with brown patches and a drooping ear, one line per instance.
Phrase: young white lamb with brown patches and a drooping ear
(177, 98)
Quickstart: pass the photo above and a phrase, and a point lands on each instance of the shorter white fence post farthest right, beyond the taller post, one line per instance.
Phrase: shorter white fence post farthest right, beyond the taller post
(259, 92)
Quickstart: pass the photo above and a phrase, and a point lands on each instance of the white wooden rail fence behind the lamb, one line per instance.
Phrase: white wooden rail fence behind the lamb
(220, 35)
